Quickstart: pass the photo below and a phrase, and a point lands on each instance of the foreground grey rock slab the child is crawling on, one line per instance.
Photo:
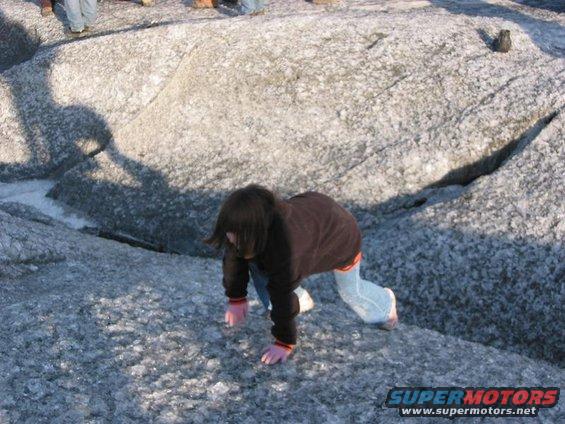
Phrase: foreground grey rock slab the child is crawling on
(118, 334)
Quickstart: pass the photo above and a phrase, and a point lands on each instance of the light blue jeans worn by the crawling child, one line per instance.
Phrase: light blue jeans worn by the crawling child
(370, 301)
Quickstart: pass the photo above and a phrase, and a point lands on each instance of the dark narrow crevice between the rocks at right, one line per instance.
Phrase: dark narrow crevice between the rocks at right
(485, 166)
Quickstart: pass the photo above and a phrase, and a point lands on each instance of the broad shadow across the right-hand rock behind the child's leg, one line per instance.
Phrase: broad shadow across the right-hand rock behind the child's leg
(497, 291)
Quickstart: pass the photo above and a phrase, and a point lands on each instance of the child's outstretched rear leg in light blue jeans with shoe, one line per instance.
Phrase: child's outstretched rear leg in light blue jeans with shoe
(373, 303)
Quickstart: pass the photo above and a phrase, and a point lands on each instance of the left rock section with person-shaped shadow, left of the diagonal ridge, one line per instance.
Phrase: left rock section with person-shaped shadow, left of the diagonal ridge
(61, 106)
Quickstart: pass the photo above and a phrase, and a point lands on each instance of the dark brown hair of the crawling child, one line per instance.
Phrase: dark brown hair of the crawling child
(247, 212)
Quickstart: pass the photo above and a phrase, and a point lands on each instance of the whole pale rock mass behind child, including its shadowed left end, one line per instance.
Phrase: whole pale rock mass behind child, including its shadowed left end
(363, 110)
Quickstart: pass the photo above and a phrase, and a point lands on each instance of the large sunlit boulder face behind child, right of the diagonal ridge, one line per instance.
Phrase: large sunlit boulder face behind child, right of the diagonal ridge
(362, 111)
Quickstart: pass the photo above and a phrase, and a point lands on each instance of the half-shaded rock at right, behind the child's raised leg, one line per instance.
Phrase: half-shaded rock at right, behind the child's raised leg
(487, 265)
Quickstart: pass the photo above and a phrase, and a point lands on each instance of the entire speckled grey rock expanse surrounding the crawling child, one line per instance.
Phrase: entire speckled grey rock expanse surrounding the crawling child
(389, 106)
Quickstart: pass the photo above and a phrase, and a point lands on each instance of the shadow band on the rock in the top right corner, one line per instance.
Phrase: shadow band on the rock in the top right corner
(537, 29)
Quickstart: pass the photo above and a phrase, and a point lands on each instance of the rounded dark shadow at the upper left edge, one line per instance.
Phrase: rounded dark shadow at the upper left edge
(17, 44)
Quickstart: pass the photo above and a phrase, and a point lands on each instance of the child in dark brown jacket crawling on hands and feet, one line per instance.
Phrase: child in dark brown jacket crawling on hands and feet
(282, 242)
